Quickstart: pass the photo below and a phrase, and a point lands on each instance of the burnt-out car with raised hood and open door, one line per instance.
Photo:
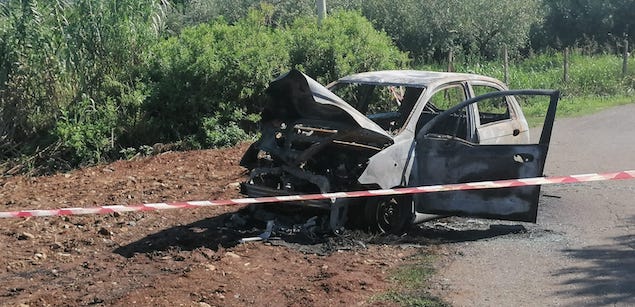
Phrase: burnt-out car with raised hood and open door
(388, 129)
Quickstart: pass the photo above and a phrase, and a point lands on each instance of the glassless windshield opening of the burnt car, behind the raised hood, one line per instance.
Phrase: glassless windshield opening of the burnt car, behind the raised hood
(386, 105)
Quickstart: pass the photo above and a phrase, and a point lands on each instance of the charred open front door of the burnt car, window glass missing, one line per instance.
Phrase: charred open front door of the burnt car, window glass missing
(446, 159)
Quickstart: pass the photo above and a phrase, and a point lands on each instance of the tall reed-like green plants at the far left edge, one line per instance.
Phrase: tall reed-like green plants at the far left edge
(73, 71)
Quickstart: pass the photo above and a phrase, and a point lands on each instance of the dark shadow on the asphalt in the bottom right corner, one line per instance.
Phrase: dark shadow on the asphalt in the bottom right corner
(608, 272)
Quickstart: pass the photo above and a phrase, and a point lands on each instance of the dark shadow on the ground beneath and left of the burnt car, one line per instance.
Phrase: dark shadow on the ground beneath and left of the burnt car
(226, 231)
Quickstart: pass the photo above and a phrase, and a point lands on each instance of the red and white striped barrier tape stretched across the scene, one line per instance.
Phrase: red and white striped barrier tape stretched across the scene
(273, 199)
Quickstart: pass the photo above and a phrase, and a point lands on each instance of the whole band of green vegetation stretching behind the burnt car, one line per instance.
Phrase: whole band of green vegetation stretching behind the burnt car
(84, 81)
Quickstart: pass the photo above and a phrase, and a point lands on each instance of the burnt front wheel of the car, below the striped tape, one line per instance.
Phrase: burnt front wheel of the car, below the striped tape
(392, 215)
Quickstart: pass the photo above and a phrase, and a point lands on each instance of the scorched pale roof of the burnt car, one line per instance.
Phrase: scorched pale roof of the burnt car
(412, 78)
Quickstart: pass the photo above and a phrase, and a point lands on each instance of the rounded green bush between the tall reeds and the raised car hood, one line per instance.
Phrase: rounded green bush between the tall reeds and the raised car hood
(212, 71)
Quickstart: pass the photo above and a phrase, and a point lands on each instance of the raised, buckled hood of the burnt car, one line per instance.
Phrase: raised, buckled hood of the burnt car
(296, 96)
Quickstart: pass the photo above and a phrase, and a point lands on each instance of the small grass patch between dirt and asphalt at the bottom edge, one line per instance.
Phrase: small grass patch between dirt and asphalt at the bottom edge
(409, 284)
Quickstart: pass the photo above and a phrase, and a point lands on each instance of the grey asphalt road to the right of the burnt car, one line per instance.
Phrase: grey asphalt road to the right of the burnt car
(582, 250)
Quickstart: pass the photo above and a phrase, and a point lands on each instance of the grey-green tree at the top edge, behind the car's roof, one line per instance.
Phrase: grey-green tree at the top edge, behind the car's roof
(430, 28)
